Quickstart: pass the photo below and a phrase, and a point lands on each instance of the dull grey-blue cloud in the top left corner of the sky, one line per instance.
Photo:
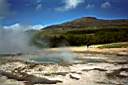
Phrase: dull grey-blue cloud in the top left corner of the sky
(4, 8)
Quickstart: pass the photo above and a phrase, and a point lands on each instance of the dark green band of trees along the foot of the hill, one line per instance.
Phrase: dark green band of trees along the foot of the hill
(79, 37)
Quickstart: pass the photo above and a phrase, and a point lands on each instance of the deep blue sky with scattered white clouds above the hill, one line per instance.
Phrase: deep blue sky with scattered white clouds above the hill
(37, 14)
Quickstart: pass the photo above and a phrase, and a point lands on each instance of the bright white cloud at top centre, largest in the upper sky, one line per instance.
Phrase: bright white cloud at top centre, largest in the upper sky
(70, 4)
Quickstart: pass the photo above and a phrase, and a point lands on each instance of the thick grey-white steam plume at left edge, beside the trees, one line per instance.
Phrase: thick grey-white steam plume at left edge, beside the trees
(14, 41)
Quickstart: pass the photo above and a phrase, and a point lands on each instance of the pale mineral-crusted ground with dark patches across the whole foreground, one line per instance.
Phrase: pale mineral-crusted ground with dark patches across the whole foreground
(86, 69)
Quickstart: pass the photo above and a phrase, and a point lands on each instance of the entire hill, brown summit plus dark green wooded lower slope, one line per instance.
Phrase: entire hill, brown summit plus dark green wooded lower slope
(83, 31)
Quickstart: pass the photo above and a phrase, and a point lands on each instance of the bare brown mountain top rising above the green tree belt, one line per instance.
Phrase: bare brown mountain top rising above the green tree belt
(89, 22)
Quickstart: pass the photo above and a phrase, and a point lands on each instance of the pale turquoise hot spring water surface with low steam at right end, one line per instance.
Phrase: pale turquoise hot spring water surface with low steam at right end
(53, 58)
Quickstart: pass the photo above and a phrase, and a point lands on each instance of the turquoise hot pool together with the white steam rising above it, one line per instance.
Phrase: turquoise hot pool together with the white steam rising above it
(62, 56)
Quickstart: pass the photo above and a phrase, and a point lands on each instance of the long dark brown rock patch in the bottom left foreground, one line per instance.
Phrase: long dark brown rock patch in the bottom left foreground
(31, 79)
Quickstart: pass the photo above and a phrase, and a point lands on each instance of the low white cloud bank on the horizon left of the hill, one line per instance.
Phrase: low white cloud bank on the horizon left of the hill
(18, 26)
